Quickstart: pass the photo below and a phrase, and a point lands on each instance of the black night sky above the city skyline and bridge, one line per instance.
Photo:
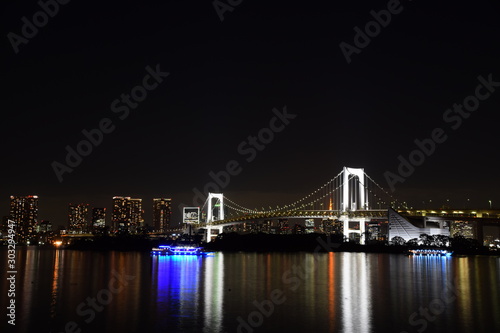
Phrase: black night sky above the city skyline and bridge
(225, 79)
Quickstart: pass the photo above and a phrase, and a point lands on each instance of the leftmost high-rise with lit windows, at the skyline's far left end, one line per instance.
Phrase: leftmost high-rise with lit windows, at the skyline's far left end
(24, 211)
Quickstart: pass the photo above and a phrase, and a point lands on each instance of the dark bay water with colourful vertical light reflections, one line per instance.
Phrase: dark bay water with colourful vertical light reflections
(250, 292)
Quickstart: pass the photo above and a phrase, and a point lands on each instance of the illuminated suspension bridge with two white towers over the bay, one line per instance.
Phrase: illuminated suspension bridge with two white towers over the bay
(352, 197)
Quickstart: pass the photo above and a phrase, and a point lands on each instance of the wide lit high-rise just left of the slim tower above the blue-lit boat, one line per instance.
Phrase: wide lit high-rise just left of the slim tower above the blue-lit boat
(127, 213)
